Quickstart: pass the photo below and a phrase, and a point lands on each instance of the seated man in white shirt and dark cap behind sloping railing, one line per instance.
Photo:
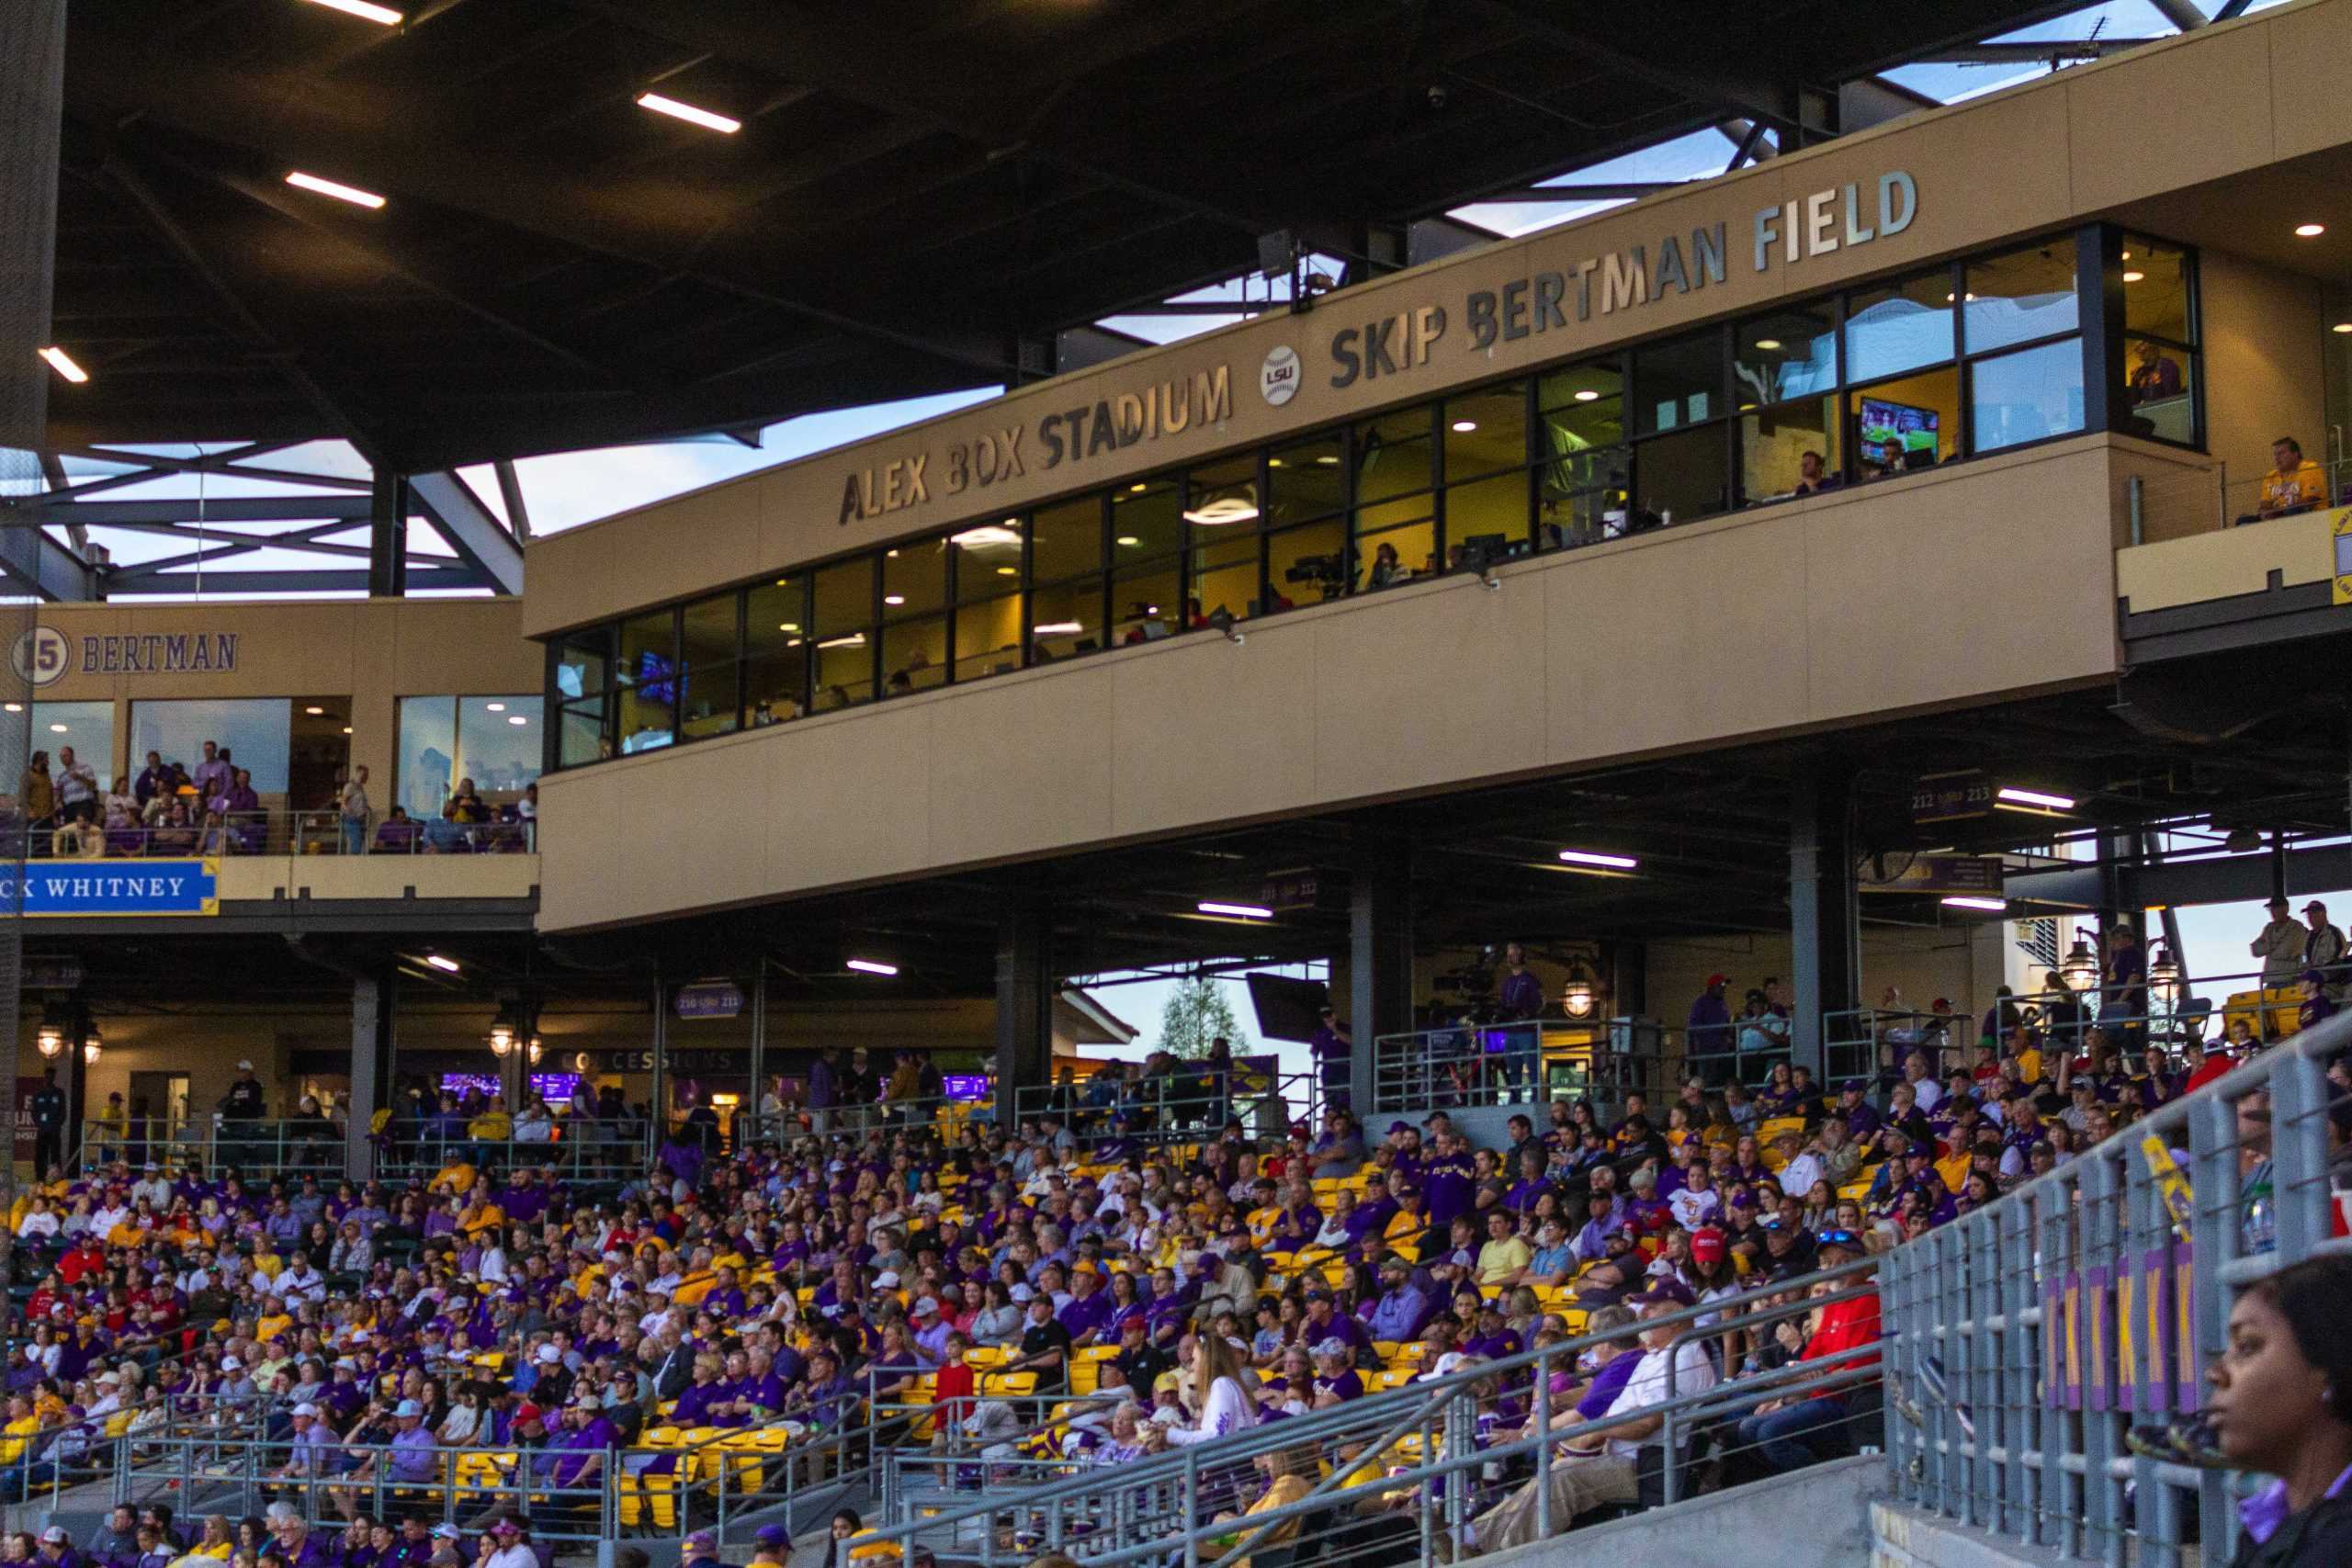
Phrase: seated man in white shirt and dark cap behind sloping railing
(1603, 1468)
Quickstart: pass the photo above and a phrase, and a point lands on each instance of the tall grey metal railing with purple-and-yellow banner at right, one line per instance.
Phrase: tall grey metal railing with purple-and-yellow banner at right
(2033, 1334)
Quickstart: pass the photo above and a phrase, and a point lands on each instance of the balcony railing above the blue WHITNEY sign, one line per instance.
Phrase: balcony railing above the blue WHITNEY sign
(281, 833)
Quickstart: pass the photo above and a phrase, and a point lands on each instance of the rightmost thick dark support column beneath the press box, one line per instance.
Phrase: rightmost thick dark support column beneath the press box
(1824, 913)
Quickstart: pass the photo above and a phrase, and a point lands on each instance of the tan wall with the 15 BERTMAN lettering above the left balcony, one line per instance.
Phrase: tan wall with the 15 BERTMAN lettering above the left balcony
(366, 650)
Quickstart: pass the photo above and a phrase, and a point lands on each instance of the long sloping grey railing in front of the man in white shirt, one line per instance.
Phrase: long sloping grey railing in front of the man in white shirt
(1422, 1470)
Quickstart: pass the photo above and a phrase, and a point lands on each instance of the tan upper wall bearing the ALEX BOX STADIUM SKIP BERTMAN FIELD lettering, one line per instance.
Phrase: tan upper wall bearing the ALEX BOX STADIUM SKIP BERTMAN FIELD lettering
(2073, 147)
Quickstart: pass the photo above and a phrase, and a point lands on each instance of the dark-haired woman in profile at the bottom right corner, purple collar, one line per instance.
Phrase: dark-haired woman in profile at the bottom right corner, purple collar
(2283, 1405)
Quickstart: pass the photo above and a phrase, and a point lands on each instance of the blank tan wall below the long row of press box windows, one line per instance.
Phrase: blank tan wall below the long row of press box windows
(1765, 622)
